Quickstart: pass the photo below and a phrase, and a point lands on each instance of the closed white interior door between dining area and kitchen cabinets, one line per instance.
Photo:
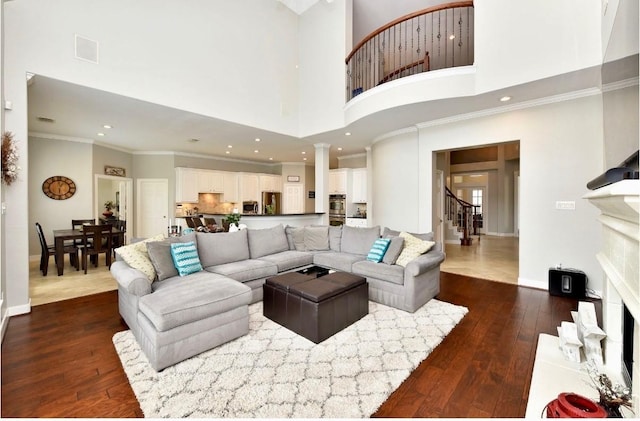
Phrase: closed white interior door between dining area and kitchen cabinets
(152, 207)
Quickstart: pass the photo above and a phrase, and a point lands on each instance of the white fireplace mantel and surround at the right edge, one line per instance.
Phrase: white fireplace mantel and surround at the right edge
(619, 258)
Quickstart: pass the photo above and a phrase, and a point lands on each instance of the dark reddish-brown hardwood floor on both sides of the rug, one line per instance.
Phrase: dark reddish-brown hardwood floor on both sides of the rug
(59, 361)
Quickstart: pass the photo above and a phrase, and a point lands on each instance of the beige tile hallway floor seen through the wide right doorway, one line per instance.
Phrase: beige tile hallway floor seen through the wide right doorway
(493, 258)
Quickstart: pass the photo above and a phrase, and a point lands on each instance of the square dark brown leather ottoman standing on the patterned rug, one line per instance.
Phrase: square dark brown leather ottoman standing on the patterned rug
(316, 308)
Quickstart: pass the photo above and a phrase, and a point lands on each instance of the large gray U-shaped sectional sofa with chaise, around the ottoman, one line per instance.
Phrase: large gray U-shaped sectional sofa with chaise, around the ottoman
(175, 317)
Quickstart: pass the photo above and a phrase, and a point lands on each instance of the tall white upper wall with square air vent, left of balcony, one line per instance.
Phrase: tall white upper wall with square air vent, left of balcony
(233, 60)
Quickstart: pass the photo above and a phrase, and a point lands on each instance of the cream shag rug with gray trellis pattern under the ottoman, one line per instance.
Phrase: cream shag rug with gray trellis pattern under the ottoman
(274, 373)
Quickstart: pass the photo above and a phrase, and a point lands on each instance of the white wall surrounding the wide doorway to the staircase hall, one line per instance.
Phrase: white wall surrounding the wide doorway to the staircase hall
(561, 149)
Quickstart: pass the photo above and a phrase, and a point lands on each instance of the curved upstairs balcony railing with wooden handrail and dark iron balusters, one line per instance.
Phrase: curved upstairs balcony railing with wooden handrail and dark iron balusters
(433, 38)
